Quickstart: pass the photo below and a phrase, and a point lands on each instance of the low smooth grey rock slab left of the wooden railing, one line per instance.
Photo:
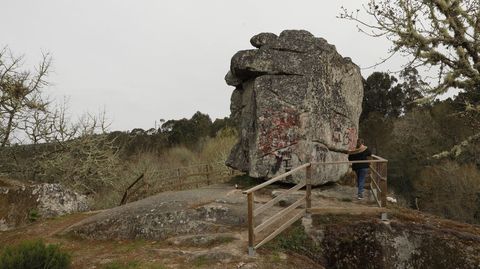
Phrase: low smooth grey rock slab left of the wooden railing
(206, 210)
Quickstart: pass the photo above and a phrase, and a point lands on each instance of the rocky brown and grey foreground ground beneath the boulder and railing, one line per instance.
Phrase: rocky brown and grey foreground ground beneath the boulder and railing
(205, 228)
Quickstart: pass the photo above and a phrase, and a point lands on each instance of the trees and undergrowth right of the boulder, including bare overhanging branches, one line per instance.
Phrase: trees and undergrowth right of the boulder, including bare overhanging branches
(441, 37)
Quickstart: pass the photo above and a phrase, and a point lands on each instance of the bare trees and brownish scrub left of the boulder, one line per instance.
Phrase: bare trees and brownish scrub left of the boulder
(40, 142)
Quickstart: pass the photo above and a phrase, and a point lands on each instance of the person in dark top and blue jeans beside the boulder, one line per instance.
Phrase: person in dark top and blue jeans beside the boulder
(361, 153)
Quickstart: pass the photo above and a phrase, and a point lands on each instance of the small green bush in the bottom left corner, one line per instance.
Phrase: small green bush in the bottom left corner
(33, 255)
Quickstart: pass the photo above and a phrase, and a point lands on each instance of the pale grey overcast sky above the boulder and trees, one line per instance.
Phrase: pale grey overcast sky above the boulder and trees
(145, 60)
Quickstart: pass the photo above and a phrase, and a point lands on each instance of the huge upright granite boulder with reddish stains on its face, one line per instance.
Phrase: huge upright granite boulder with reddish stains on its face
(296, 100)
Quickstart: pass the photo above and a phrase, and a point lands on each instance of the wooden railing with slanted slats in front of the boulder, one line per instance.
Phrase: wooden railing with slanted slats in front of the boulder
(303, 205)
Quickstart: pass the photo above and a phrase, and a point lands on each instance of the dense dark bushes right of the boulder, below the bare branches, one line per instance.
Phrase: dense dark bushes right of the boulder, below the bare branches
(410, 135)
